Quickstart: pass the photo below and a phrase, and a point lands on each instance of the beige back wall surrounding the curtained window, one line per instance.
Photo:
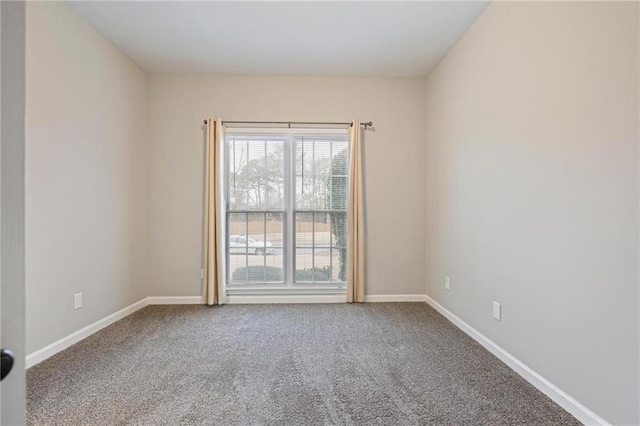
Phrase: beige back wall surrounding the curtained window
(394, 169)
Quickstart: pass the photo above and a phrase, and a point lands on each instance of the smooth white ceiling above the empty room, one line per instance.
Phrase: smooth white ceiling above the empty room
(285, 38)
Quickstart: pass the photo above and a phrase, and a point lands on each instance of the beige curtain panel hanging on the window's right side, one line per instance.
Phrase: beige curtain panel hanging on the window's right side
(355, 249)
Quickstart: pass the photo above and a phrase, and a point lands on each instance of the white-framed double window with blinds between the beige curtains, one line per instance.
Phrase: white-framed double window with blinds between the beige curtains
(286, 209)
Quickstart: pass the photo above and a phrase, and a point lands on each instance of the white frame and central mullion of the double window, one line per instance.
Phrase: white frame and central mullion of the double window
(288, 286)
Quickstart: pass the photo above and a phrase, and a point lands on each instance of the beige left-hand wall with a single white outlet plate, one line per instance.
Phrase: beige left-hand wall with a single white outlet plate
(86, 175)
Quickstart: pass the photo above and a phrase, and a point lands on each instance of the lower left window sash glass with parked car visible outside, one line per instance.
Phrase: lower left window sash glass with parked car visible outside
(255, 247)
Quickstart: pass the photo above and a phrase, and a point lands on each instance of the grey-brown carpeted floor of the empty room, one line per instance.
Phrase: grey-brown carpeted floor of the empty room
(365, 364)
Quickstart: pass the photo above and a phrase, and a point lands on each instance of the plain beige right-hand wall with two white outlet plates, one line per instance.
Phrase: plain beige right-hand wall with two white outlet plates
(532, 192)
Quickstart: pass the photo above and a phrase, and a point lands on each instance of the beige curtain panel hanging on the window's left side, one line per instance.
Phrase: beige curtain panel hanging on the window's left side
(213, 266)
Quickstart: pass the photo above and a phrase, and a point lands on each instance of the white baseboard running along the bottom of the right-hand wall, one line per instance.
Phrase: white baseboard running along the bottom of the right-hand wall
(560, 397)
